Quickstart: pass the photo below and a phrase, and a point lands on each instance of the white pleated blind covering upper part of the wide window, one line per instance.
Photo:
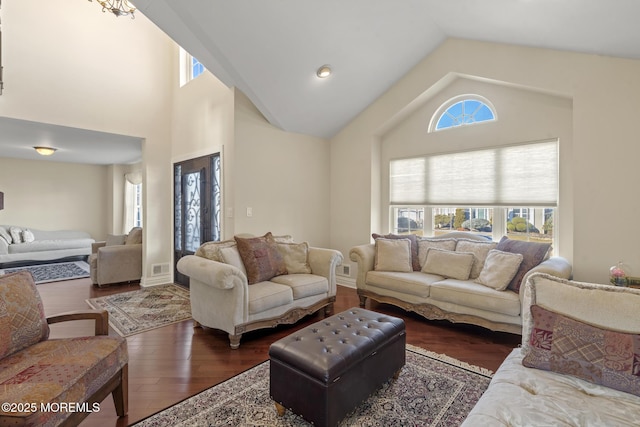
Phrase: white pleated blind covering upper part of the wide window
(517, 175)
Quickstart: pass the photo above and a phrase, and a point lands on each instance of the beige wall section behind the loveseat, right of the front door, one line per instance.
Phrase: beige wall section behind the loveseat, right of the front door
(281, 176)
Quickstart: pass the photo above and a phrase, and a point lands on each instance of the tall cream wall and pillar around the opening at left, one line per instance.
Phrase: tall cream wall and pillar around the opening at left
(67, 63)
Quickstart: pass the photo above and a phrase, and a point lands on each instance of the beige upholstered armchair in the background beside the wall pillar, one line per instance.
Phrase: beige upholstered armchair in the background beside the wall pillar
(118, 259)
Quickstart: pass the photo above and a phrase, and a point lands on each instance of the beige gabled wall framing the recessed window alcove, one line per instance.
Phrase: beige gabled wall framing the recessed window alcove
(597, 178)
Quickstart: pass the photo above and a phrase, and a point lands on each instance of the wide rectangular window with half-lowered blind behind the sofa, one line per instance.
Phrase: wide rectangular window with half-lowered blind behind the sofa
(509, 190)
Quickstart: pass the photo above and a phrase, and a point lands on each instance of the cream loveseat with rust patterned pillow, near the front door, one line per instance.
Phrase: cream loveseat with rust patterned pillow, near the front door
(250, 283)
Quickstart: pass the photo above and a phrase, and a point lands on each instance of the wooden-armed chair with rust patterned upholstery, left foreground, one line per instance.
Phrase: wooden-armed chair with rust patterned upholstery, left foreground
(37, 373)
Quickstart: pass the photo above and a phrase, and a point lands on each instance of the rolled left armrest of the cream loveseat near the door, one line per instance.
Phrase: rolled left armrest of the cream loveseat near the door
(215, 274)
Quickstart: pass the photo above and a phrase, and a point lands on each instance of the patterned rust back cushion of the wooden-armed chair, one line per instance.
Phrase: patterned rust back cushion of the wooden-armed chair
(22, 319)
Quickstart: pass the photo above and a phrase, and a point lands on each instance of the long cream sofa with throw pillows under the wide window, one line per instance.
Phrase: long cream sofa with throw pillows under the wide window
(441, 280)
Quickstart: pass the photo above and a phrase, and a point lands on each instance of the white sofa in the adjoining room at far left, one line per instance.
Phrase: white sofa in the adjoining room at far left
(41, 245)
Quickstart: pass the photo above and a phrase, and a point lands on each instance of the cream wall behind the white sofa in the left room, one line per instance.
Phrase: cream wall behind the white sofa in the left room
(54, 196)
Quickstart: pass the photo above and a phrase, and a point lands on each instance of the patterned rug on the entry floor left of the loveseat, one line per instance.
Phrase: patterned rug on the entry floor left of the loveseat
(134, 312)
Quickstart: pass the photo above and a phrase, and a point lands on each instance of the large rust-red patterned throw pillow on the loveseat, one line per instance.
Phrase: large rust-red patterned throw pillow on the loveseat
(260, 257)
